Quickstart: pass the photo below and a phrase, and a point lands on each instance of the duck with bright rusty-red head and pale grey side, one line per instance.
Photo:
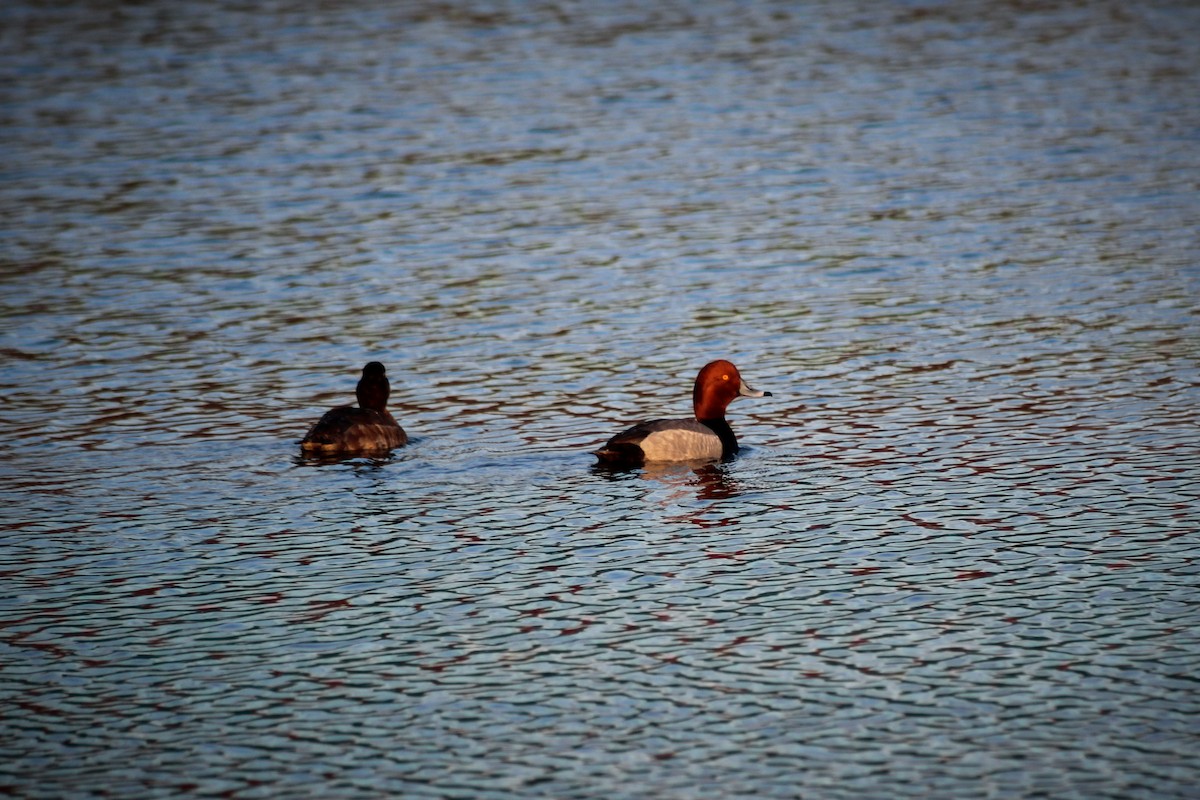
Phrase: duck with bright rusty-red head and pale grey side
(706, 438)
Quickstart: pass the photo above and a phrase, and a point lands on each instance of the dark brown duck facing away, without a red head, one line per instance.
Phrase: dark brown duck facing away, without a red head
(369, 428)
